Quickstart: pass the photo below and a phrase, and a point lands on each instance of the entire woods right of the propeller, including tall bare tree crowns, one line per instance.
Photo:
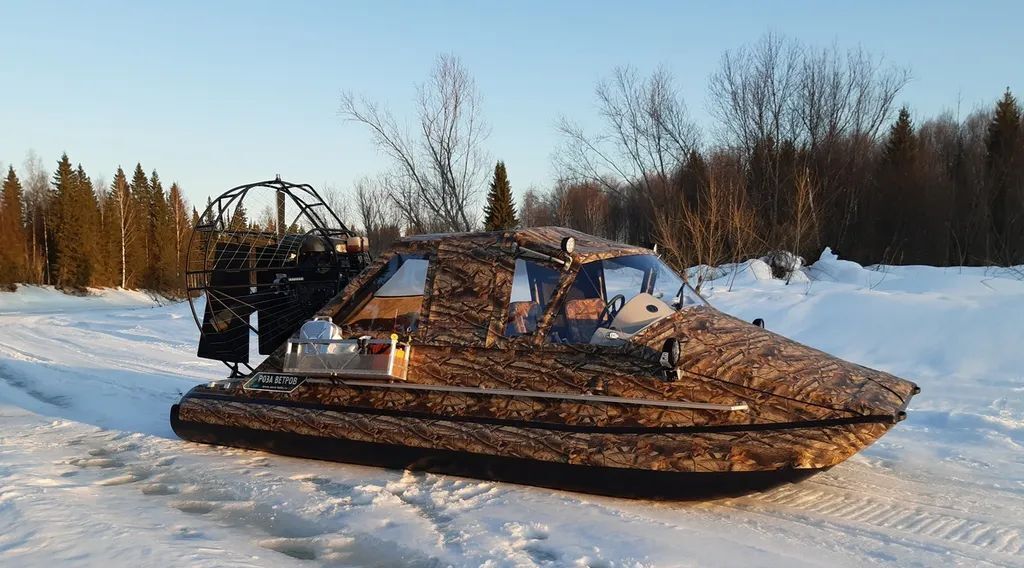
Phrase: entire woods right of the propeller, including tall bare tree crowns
(808, 149)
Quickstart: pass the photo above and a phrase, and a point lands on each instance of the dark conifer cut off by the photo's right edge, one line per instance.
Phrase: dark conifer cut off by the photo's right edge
(1005, 161)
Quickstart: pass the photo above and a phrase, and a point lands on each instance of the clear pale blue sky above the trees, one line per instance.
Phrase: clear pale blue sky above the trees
(215, 95)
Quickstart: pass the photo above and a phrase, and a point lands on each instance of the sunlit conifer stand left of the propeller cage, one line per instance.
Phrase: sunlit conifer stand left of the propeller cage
(66, 231)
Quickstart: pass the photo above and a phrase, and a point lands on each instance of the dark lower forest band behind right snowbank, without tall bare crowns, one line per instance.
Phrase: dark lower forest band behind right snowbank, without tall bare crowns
(945, 192)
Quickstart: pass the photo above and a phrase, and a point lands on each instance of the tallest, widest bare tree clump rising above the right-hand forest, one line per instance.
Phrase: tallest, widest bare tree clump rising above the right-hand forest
(779, 95)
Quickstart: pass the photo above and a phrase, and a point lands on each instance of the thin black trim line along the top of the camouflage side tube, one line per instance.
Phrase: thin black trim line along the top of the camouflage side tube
(554, 427)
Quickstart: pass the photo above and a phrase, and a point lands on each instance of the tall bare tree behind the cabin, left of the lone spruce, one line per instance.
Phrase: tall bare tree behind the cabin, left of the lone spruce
(440, 167)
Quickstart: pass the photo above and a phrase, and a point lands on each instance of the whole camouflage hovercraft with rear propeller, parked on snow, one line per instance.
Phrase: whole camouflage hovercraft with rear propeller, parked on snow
(542, 357)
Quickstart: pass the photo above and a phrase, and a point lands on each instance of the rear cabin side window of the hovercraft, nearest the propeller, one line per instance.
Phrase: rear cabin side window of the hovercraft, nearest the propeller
(397, 299)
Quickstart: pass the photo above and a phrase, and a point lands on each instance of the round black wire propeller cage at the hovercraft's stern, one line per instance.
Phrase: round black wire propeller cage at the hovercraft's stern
(262, 260)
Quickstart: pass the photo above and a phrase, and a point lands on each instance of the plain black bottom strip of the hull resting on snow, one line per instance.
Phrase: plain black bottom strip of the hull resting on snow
(590, 479)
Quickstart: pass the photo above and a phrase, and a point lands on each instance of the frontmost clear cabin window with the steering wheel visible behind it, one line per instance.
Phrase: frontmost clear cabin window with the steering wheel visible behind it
(601, 282)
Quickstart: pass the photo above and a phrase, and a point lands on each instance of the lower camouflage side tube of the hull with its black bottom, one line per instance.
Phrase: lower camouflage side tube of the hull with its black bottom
(670, 462)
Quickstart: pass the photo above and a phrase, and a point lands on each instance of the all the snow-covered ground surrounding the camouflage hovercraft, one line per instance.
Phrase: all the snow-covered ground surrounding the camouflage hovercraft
(91, 473)
